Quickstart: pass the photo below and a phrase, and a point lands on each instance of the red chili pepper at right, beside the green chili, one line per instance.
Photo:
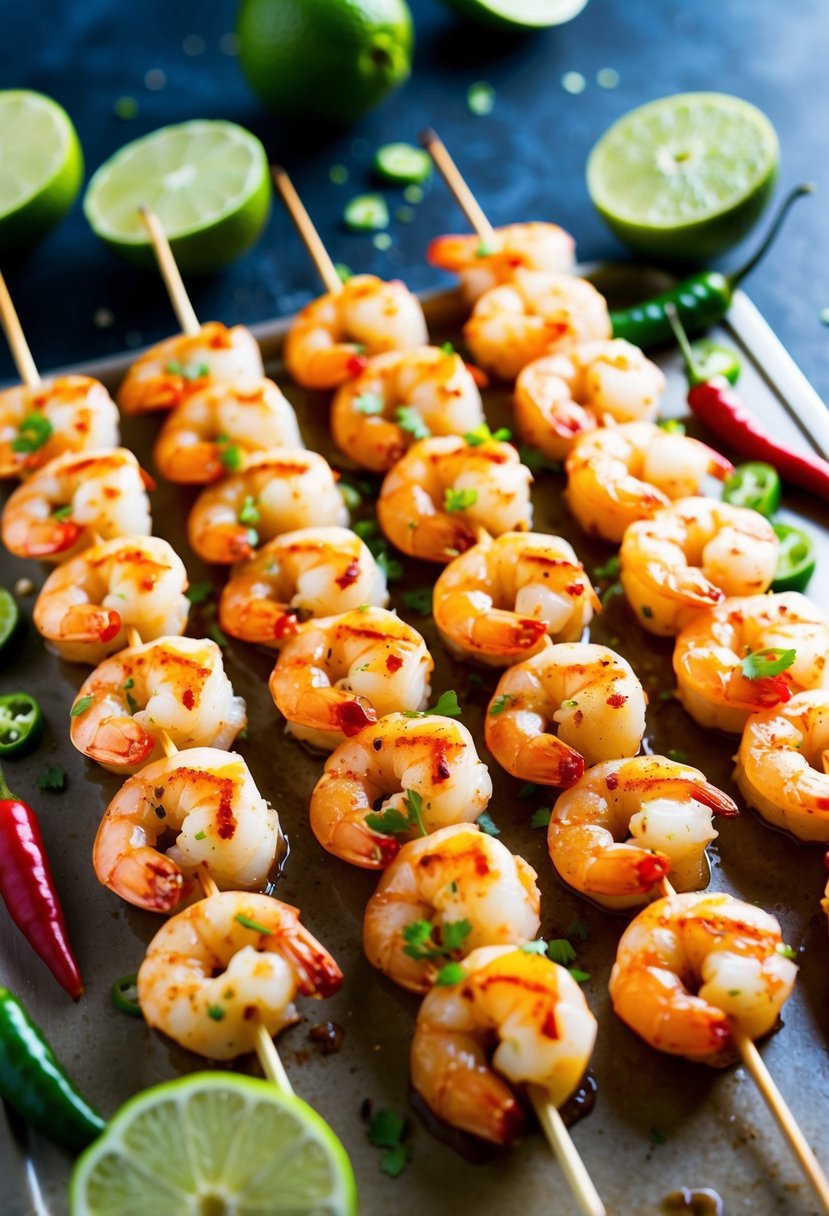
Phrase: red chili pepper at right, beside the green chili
(721, 410)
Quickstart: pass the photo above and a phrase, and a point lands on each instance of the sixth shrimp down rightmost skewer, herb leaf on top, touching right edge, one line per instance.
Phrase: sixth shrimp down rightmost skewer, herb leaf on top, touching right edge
(712, 651)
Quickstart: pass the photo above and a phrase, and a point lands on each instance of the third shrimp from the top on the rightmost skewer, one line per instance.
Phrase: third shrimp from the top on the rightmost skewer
(561, 397)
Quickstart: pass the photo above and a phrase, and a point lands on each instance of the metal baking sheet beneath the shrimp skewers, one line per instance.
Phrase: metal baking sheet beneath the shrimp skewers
(658, 1124)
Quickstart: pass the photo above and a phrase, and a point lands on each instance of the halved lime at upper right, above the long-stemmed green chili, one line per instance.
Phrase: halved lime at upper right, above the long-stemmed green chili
(686, 177)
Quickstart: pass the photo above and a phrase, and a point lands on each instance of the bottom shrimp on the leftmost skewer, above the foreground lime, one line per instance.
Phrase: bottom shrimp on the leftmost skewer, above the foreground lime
(227, 966)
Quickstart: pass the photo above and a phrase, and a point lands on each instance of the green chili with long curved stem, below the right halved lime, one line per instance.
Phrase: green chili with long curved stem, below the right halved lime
(701, 301)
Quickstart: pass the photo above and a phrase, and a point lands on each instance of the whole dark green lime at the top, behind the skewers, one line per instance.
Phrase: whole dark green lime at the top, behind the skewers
(330, 60)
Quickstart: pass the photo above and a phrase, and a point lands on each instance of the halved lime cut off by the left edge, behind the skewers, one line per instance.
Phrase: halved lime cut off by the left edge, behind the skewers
(42, 167)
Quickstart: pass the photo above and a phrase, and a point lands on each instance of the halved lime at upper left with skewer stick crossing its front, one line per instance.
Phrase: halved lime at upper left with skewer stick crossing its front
(207, 182)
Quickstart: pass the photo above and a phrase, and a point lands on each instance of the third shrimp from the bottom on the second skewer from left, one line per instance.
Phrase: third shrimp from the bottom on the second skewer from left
(396, 780)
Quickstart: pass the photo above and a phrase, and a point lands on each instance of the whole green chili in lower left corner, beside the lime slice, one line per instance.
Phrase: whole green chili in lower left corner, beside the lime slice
(35, 1084)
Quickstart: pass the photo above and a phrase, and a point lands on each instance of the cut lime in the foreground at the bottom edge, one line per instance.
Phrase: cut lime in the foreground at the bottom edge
(215, 1145)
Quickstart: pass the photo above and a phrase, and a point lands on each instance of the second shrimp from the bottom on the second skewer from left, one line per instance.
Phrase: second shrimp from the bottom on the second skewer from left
(443, 897)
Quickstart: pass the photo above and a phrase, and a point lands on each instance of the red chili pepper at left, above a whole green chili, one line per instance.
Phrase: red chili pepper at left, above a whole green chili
(29, 891)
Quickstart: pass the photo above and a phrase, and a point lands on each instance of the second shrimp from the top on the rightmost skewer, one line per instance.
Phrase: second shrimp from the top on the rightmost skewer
(537, 314)
